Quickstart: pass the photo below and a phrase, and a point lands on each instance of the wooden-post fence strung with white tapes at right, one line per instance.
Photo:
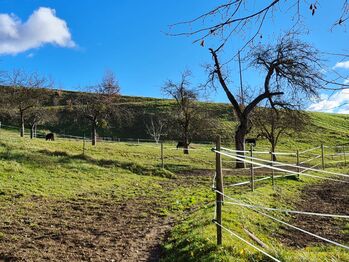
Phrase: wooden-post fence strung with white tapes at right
(275, 167)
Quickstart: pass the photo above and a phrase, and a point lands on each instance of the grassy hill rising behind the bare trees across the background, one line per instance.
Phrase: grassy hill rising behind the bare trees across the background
(322, 128)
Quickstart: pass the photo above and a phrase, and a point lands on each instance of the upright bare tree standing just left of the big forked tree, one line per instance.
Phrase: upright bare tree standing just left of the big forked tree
(186, 108)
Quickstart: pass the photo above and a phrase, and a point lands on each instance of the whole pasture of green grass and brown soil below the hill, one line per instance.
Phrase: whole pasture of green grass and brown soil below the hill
(59, 204)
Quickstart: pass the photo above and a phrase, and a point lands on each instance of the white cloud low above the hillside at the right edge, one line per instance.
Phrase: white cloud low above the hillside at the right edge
(336, 103)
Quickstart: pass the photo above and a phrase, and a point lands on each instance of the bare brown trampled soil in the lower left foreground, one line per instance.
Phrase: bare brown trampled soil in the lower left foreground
(82, 230)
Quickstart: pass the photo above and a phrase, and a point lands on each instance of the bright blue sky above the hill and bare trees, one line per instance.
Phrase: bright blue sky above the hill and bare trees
(128, 38)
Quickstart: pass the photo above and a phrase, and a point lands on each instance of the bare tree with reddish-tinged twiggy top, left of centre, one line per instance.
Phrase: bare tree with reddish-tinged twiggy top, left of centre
(99, 105)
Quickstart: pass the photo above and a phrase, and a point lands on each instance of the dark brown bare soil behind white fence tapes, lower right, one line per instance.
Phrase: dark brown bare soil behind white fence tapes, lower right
(331, 198)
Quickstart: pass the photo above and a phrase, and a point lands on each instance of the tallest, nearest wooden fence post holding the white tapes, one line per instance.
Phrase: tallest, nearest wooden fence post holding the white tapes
(219, 188)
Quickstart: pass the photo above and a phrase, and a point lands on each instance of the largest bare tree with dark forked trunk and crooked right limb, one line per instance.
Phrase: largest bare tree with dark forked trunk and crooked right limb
(292, 71)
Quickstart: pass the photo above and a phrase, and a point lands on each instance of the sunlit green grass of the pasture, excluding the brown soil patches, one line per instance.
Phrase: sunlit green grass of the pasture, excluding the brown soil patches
(119, 171)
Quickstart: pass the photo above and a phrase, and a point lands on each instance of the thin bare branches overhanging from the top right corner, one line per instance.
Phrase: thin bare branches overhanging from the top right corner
(241, 22)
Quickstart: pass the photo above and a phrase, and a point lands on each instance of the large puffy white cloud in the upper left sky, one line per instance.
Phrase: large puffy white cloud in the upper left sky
(42, 27)
